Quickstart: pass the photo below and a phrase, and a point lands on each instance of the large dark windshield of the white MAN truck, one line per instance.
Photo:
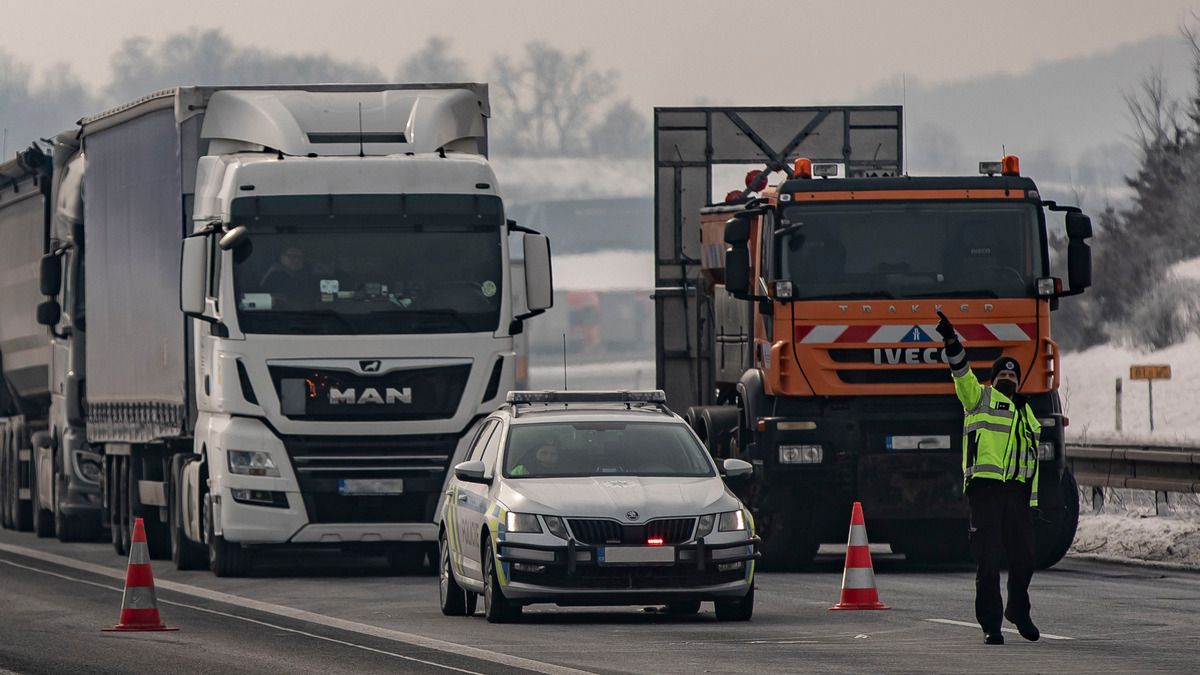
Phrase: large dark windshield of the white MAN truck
(369, 264)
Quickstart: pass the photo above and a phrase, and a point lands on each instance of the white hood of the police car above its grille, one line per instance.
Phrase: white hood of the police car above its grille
(619, 495)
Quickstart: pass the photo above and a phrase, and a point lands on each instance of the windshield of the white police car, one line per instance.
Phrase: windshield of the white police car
(604, 449)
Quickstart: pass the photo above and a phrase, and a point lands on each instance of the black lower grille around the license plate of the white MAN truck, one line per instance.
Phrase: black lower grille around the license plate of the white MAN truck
(322, 463)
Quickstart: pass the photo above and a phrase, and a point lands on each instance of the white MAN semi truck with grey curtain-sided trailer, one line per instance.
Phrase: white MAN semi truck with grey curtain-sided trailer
(299, 303)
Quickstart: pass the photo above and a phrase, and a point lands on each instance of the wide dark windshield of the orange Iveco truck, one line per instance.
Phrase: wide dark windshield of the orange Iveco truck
(923, 250)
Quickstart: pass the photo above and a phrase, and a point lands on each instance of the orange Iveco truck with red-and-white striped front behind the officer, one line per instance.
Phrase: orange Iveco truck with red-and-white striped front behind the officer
(827, 373)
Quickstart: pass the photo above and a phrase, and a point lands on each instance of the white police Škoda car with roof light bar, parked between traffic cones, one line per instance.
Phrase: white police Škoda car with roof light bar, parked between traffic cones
(593, 499)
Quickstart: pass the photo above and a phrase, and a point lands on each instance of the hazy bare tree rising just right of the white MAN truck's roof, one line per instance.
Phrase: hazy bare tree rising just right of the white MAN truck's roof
(547, 101)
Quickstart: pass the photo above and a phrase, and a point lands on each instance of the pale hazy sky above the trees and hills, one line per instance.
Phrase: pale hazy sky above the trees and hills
(668, 52)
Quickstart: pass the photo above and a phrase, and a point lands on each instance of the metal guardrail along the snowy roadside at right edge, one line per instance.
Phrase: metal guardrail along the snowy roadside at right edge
(1166, 469)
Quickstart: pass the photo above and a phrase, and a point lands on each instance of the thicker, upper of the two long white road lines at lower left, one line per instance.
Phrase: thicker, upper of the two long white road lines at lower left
(310, 617)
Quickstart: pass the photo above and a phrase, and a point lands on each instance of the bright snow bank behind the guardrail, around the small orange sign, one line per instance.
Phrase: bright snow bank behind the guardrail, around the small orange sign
(1089, 393)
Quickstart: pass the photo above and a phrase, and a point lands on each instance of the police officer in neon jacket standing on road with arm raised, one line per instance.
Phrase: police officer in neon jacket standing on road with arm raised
(1000, 479)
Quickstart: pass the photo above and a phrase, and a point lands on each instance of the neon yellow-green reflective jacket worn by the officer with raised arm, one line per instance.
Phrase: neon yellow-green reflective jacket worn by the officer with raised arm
(999, 441)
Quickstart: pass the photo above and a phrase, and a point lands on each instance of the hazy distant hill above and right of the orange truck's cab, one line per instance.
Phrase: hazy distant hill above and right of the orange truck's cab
(1066, 120)
